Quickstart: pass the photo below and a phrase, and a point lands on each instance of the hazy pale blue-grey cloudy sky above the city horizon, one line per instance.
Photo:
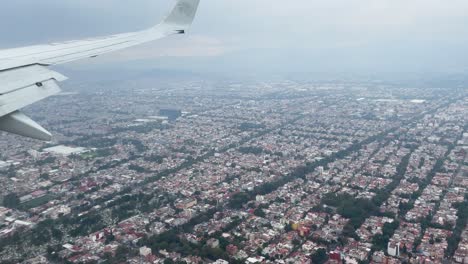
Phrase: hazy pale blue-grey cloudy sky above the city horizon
(271, 36)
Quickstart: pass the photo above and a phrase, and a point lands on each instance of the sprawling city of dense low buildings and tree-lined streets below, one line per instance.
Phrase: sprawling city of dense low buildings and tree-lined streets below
(190, 170)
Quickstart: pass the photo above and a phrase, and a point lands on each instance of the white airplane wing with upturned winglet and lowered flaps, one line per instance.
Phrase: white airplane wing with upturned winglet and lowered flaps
(26, 79)
